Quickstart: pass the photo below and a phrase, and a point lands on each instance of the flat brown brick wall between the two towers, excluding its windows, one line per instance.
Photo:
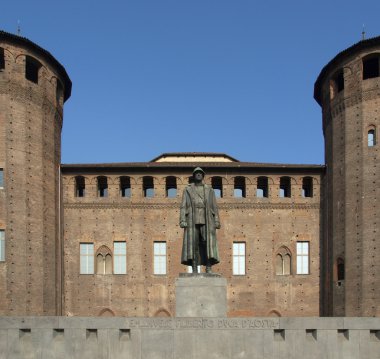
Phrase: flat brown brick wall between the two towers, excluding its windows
(265, 224)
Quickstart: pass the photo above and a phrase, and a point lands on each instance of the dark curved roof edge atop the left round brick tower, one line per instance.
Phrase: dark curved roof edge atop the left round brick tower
(23, 41)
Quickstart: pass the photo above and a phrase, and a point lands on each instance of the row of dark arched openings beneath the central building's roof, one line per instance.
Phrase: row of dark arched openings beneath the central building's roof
(262, 186)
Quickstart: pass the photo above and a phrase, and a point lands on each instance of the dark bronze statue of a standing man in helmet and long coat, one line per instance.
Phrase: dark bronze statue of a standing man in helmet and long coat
(200, 218)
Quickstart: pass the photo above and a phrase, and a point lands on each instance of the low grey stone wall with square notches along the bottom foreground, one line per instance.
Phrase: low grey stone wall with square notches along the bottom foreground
(189, 338)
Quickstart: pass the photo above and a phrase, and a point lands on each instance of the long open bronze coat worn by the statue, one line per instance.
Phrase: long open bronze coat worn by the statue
(187, 215)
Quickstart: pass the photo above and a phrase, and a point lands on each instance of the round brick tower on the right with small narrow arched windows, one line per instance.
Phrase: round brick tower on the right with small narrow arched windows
(348, 90)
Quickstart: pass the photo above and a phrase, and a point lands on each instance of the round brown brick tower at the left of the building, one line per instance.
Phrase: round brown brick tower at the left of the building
(33, 89)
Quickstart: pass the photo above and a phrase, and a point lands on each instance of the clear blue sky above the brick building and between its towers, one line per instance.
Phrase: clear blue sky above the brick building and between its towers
(154, 76)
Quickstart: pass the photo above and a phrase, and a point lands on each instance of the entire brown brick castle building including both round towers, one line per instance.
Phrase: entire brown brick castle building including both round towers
(104, 239)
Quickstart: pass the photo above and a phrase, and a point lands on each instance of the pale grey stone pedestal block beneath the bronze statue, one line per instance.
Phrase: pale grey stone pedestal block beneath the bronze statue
(201, 295)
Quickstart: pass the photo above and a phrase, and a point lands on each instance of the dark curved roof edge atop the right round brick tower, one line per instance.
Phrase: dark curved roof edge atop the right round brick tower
(358, 47)
